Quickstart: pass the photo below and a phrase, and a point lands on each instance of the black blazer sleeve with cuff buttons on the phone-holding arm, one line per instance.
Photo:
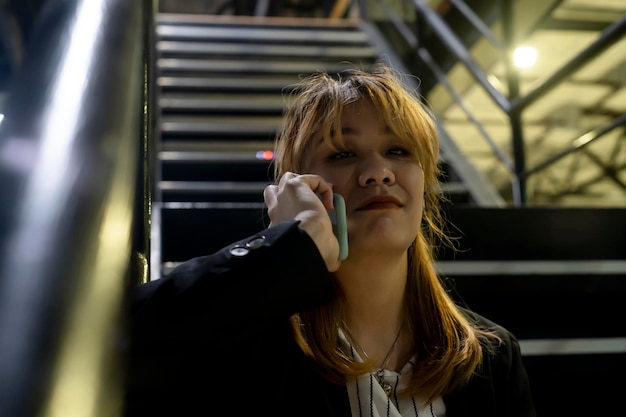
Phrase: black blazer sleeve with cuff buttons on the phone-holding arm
(265, 277)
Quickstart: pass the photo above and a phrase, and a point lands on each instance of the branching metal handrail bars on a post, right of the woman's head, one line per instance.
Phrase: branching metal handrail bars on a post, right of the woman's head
(515, 103)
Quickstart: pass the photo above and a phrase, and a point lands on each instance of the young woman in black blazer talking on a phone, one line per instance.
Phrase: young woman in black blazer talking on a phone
(277, 323)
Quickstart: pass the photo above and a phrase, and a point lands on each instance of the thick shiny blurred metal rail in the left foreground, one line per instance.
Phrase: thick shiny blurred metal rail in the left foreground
(72, 145)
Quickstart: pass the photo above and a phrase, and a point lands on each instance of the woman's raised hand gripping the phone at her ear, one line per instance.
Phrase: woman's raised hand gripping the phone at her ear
(298, 197)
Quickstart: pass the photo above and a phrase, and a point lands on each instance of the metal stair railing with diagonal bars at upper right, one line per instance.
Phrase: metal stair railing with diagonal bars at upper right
(513, 104)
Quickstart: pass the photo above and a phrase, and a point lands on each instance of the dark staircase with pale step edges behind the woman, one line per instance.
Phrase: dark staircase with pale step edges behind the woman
(554, 276)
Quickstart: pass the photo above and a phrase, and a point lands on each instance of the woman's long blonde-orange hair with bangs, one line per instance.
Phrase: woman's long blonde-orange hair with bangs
(448, 345)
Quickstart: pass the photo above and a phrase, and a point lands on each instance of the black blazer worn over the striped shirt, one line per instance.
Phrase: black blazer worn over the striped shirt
(212, 338)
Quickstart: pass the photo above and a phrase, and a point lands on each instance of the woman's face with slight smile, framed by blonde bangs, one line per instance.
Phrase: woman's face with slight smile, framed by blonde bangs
(379, 177)
